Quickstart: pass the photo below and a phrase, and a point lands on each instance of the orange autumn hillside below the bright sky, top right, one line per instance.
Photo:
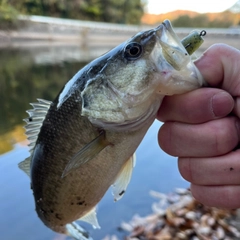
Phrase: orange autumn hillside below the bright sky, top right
(201, 20)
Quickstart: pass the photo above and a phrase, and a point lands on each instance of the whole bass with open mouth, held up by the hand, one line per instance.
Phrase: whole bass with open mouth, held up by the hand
(84, 141)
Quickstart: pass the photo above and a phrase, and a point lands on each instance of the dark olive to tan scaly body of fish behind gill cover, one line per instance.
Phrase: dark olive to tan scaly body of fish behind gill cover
(68, 195)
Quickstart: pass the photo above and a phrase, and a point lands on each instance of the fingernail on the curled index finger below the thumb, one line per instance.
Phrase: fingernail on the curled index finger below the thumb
(222, 104)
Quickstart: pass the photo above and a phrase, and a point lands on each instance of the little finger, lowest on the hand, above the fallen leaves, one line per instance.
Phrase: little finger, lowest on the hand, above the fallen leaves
(217, 196)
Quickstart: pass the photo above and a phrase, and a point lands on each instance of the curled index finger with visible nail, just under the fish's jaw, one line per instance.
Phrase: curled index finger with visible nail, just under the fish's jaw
(198, 106)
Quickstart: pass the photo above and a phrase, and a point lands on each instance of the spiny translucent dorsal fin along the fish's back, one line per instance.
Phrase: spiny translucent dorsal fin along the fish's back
(34, 123)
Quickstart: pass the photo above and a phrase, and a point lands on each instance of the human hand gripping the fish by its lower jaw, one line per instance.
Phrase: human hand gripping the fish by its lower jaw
(200, 130)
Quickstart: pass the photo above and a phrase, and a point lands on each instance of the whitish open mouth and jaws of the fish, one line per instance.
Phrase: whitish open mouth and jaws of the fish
(177, 71)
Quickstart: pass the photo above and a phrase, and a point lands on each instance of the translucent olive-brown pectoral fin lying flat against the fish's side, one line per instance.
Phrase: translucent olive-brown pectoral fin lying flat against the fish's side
(86, 153)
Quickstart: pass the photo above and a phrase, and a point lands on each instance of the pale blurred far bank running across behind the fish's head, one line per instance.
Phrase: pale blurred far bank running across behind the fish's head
(33, 40)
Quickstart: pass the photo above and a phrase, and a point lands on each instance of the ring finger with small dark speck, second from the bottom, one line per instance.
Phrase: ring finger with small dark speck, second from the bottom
(222, 170)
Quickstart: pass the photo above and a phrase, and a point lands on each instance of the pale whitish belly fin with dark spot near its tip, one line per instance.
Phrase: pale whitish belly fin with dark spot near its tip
(123, 178)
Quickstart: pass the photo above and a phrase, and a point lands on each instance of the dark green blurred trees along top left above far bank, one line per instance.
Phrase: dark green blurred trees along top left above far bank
(116, 11)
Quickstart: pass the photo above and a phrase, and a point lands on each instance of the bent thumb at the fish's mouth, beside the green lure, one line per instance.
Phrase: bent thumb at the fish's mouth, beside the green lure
(219, 66)
